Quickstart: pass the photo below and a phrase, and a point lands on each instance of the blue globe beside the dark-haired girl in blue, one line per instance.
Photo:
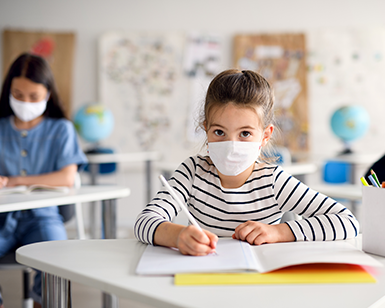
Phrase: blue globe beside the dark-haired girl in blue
(94, 122)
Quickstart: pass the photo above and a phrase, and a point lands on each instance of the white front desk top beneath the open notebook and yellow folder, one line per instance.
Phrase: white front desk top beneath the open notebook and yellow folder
(109, 265)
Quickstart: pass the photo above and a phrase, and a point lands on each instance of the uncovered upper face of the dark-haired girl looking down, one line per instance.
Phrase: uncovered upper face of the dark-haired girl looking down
(23, 89)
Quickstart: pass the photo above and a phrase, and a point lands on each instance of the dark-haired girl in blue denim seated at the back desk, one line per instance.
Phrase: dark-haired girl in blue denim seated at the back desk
(37, 146)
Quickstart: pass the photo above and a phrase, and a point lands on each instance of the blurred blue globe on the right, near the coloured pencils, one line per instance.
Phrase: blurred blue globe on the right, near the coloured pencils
(350, 123)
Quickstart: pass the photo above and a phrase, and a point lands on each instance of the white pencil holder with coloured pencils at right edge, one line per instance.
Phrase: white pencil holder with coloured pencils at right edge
(373, 222)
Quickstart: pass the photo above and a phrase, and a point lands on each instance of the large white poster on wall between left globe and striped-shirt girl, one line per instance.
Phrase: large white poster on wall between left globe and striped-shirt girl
(141, 82)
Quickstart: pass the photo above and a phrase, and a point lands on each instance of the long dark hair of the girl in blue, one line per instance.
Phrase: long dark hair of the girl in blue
(37, 70)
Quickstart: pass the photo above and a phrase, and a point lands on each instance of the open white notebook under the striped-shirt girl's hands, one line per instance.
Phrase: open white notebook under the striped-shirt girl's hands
(237, 256)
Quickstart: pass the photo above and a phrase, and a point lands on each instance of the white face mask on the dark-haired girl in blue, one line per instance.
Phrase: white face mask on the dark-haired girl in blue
(26, 111)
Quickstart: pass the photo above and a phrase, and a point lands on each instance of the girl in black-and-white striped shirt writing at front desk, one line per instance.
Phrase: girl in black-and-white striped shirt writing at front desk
(232, 191)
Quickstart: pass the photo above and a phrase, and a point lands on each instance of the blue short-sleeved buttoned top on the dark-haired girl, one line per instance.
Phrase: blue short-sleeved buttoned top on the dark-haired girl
(47, 147)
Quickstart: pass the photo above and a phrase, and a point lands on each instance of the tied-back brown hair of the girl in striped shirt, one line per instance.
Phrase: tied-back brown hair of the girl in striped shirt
(246, 89)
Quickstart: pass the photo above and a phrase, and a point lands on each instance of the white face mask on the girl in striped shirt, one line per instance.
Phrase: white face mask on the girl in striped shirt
(233, 157)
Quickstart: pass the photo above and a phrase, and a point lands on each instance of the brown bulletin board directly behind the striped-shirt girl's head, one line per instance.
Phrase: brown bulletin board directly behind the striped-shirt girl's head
(281, 59)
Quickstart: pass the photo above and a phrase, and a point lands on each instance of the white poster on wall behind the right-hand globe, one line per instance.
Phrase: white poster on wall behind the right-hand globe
(346, 67)
